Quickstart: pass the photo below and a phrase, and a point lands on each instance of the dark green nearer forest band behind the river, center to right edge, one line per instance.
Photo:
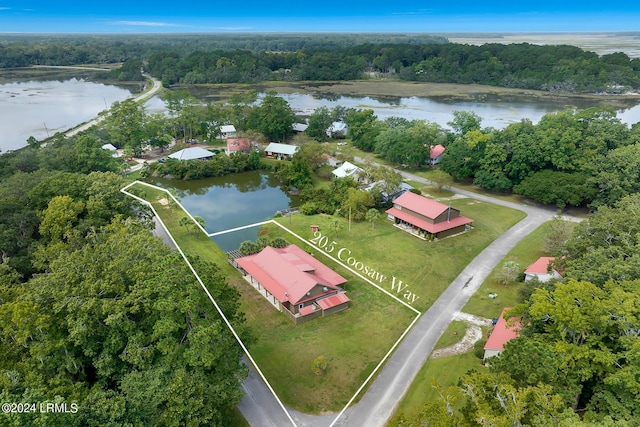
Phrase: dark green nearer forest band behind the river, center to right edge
(561, 69)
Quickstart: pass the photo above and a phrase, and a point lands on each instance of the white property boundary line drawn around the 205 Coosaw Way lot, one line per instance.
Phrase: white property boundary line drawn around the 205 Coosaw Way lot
(237, 337)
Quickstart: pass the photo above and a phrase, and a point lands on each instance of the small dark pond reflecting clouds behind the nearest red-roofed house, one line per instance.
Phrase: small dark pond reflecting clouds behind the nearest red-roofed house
(232, 201)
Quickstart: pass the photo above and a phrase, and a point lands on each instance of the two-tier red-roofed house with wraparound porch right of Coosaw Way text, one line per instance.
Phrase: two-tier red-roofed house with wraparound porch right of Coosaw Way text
(426, 218)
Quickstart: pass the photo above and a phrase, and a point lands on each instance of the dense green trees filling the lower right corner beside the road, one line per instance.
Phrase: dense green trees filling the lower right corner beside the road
(575, 362)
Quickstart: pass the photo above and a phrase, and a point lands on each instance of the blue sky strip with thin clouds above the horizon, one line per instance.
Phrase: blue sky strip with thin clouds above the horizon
(134, 16)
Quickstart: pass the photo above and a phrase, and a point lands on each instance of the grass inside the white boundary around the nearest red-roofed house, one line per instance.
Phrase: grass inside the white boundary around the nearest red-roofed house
(353, 342)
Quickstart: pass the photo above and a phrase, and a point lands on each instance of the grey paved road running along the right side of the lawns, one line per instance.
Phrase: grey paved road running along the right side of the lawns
(384, 394)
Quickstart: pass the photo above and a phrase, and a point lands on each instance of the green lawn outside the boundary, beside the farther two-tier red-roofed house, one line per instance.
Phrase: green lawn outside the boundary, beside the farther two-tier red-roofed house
(424, 268)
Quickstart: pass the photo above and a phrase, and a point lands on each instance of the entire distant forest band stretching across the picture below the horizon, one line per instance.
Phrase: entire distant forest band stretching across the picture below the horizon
(189, 59)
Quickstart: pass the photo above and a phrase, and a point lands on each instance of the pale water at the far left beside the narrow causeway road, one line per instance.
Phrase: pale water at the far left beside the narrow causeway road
(42, 107)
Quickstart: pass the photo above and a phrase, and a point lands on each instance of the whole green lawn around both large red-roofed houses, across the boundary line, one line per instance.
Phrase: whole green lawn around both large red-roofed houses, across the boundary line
(354, 341)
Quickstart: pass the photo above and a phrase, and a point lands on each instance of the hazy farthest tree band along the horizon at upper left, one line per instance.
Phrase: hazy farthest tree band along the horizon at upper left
(23, 50)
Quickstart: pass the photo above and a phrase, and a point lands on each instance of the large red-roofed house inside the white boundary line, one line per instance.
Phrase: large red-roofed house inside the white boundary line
(295, 282)
